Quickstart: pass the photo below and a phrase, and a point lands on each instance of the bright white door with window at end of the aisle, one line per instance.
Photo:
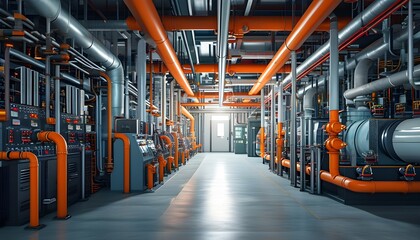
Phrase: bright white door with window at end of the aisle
(219, 134)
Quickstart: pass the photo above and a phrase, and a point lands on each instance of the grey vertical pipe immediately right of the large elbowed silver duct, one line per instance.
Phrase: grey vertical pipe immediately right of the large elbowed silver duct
(141, 79)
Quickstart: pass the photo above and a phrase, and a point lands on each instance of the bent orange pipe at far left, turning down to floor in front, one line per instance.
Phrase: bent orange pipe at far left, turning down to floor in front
(33, 183)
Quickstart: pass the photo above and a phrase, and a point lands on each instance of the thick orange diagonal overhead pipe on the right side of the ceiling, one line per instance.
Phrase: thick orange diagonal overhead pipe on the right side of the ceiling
(311, 19)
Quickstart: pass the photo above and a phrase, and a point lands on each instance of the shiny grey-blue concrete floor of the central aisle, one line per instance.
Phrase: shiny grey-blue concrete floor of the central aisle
(224, 196)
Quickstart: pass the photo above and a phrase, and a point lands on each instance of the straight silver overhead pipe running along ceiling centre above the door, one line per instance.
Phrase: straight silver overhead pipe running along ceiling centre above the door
(223, 32)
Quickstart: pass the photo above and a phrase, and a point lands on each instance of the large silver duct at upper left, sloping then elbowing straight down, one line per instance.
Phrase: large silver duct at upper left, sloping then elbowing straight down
(69, 26)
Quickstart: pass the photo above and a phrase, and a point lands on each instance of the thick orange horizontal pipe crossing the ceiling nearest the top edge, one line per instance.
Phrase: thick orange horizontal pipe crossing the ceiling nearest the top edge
(238, 25)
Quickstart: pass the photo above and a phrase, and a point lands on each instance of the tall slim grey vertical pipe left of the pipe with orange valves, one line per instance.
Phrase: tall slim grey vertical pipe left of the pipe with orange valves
(293, 131)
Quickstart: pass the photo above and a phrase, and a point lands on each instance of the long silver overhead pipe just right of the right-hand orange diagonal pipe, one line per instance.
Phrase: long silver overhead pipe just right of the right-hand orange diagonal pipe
(366, 16)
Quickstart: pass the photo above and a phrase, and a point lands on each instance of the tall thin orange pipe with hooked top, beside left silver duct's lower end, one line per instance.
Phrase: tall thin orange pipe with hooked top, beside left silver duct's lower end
(109, 164)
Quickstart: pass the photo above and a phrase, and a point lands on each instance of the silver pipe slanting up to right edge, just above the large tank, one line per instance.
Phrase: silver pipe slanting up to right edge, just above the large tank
(393, 80)
